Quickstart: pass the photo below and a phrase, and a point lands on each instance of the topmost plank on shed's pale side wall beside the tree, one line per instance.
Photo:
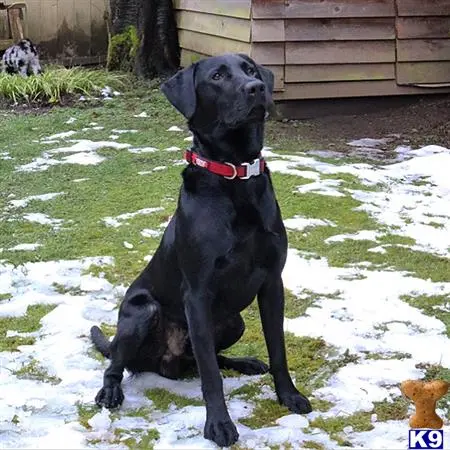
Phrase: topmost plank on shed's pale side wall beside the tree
(230, 8)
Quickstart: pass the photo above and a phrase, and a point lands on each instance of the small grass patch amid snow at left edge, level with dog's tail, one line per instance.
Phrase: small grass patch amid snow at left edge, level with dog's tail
(23, 324)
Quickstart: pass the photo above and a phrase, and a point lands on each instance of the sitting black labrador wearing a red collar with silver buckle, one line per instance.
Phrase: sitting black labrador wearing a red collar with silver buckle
(225, 245)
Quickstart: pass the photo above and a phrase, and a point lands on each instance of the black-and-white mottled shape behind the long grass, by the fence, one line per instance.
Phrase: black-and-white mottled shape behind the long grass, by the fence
(21, 58)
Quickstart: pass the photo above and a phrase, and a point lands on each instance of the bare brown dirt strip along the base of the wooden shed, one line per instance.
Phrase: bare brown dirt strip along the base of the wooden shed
(423, 121)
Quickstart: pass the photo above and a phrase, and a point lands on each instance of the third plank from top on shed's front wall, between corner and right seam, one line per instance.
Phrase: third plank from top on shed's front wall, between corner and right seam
(337, 52)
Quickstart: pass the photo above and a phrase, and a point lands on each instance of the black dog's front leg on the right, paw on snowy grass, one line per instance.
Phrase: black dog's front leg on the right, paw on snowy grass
(271, 307)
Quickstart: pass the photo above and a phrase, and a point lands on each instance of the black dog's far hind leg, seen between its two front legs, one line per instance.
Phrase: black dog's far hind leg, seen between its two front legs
(228, 334)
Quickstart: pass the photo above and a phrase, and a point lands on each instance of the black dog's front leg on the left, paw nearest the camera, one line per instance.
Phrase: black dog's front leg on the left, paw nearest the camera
(219, 426)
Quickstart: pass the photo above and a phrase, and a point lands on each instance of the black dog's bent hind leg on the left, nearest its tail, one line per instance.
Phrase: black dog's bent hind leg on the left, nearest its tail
(138, 316)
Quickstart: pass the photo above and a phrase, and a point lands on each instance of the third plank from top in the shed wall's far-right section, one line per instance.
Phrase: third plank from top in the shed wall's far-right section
(423, 50)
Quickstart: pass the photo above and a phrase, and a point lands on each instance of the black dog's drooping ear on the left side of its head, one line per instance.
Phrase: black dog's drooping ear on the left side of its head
(180, 91)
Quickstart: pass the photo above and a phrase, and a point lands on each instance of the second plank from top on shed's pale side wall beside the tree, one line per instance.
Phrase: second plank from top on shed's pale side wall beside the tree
(227, 27)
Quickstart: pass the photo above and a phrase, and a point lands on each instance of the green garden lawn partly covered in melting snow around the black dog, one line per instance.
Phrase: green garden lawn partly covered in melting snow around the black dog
(85, 195)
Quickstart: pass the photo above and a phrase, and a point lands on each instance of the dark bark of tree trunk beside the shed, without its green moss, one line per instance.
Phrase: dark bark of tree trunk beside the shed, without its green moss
(158, 54)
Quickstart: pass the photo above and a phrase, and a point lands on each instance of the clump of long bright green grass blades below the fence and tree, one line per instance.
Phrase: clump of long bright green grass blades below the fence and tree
(56, 83)
